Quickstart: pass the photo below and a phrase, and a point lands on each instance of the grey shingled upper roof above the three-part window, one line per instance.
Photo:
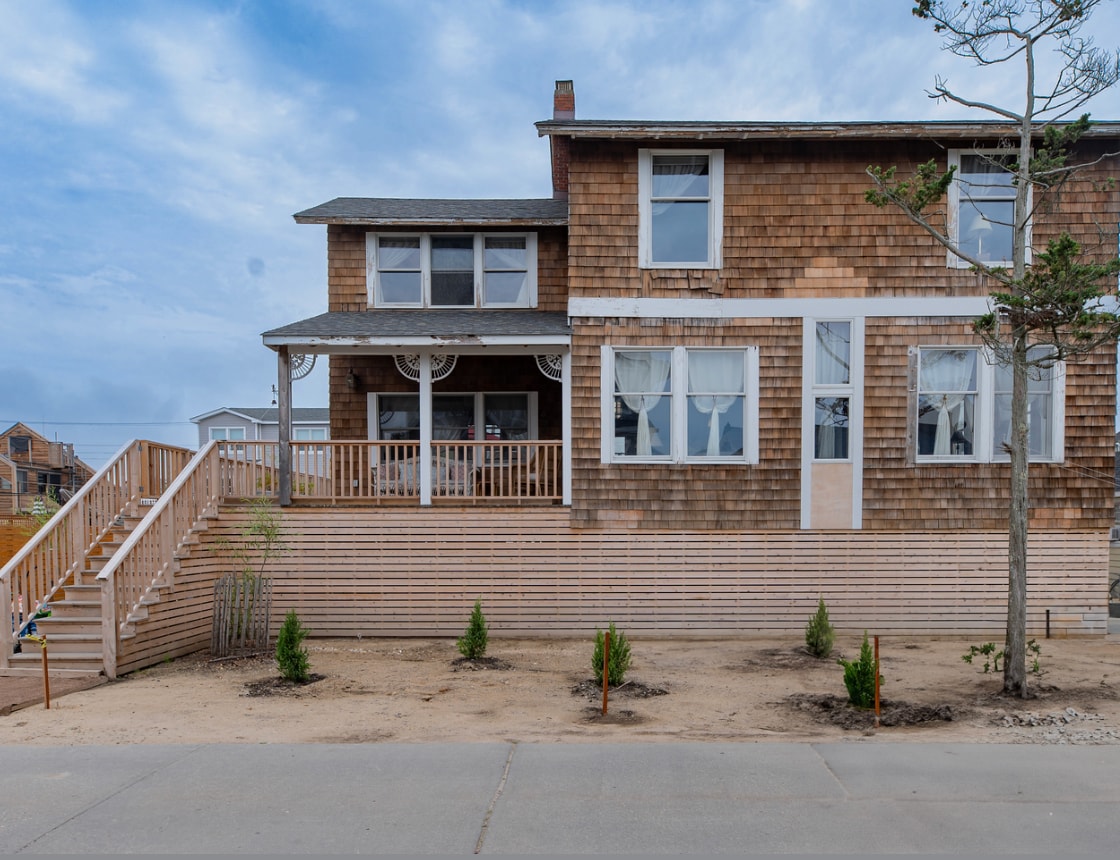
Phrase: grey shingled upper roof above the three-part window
(398, 212)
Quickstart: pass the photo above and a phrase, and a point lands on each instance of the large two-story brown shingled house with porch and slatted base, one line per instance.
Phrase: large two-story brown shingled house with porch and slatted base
(723, 385)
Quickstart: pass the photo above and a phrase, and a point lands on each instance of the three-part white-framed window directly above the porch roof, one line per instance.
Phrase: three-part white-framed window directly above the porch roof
(459, 270)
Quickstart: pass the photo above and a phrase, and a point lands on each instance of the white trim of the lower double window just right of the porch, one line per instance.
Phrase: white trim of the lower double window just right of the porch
(679, 407)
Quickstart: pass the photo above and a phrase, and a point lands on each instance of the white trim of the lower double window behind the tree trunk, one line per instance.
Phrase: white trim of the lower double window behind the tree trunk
(984, 445)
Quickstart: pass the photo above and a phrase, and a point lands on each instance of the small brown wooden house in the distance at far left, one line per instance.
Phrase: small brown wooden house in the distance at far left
(34, 468)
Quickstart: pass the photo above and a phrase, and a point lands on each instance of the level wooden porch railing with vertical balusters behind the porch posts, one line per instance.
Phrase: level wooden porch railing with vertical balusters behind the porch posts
(384, 472)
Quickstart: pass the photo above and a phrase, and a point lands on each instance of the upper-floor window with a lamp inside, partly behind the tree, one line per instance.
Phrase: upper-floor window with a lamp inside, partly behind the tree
(982, 203)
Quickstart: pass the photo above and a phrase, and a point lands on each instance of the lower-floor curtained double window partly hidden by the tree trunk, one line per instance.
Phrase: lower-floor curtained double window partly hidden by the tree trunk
(965, 408)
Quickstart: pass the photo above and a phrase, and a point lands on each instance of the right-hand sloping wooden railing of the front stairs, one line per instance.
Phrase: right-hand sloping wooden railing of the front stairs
(146, 559)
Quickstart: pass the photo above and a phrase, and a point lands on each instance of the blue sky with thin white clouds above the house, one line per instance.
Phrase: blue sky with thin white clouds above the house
(153, 154)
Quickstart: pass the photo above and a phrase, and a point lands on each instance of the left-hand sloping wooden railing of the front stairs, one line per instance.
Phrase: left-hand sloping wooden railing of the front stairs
(57, 554)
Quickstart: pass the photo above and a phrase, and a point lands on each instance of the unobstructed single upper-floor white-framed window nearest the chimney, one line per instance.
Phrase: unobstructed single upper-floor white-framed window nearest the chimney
(680, 209)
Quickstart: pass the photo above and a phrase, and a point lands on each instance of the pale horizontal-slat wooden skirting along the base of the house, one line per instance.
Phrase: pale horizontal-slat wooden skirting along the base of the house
(402, 573)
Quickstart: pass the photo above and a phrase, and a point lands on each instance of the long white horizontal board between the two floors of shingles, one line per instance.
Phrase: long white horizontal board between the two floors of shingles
(917, 306)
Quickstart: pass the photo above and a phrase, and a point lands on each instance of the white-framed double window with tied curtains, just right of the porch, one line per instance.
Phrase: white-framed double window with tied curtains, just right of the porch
(680, 405)
